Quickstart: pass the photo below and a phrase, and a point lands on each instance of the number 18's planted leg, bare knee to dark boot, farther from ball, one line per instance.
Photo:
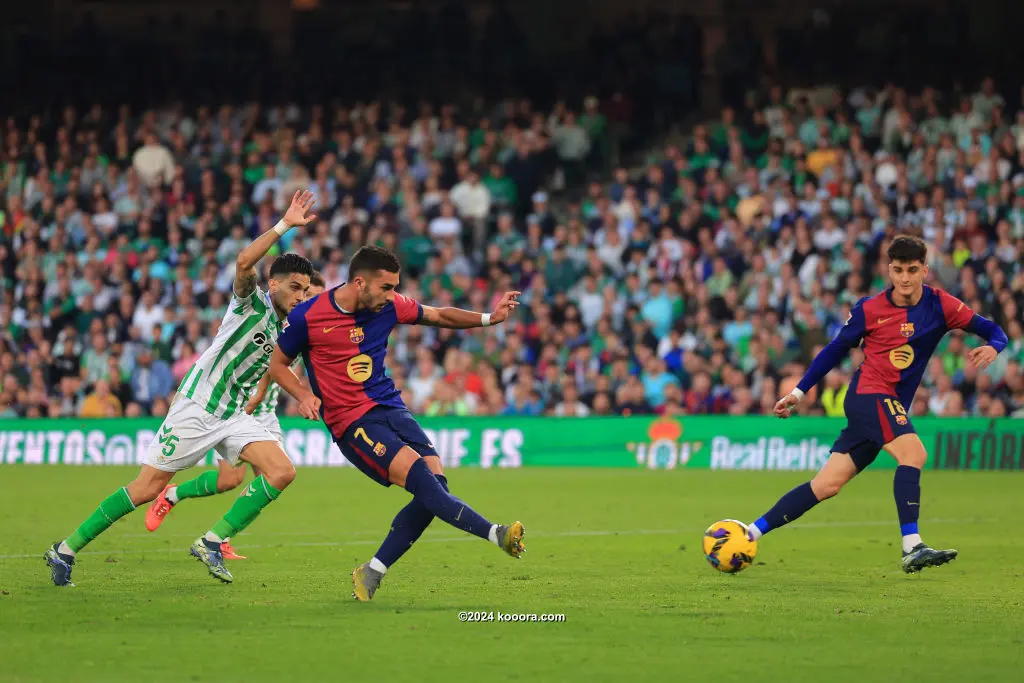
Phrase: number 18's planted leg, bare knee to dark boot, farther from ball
(911, 458)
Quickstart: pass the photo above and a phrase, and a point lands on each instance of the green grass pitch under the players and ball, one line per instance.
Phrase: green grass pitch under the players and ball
(618, 552)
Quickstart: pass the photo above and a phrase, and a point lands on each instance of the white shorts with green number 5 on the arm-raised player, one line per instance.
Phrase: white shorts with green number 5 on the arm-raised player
(189, 433)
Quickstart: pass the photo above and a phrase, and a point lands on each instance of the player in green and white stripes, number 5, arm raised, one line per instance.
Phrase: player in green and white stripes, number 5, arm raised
(208, 410)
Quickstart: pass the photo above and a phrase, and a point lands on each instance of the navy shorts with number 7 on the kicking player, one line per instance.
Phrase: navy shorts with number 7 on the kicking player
(372, 442)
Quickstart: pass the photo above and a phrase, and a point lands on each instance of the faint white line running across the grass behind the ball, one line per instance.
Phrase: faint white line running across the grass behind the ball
(460, 539)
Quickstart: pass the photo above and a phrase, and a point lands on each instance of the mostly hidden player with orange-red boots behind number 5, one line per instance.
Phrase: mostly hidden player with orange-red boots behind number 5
(263, 405)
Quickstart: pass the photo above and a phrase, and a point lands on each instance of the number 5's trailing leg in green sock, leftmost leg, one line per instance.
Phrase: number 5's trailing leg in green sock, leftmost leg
(61, 557)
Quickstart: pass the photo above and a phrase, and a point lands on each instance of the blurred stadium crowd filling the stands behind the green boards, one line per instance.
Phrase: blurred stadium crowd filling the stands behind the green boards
(700, 283)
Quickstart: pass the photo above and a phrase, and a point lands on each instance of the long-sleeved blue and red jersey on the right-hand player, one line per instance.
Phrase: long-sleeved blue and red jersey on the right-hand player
(899, 341)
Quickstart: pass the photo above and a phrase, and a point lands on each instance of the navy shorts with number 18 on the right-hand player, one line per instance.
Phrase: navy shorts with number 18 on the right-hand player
(873, 421)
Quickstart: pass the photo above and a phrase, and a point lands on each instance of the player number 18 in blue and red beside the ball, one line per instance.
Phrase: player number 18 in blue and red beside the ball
(899, 331)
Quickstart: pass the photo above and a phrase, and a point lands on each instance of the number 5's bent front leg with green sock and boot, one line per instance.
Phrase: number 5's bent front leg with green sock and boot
(277, 473)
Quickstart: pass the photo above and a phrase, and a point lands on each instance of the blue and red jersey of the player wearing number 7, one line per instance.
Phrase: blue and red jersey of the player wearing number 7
(345, 355)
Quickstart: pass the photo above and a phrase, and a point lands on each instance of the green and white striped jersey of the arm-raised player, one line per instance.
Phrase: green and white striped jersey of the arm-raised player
(226, 375)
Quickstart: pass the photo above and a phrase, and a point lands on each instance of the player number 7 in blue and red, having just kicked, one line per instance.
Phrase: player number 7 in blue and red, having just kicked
(343, 337)
